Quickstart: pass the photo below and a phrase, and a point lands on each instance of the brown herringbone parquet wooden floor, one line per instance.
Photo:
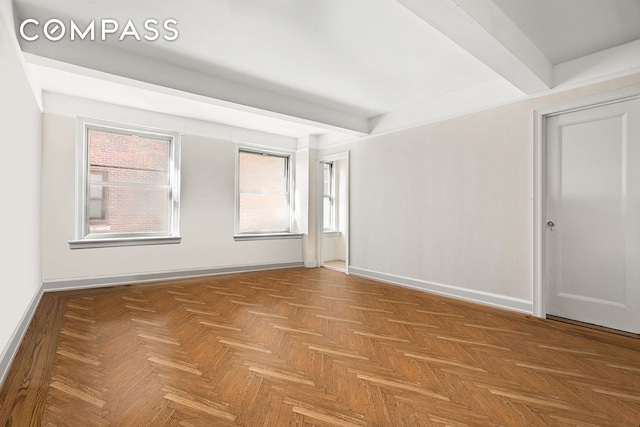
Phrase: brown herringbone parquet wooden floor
(310, 347)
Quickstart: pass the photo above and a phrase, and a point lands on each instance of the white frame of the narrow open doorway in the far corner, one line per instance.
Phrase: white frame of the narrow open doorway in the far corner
(320, 204)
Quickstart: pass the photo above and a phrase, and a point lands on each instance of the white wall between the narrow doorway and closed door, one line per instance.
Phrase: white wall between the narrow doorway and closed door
(447, 206)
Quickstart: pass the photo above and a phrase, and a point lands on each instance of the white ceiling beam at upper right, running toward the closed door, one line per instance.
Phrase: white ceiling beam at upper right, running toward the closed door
(483, 30)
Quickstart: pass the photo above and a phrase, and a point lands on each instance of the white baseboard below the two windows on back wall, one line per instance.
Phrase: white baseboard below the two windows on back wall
(56, 285)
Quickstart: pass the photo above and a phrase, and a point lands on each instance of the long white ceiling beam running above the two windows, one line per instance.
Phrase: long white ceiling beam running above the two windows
(120, 66)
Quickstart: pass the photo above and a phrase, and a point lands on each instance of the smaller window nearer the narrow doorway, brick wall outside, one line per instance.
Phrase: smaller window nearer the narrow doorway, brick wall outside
(263, 193)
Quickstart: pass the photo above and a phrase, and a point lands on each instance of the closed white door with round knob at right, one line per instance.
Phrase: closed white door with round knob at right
(593, 216)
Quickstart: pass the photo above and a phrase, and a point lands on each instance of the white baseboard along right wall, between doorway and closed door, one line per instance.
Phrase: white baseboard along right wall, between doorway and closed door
(481, 297)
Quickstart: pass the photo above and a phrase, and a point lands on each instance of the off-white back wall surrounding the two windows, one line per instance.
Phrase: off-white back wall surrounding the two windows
(206, 219)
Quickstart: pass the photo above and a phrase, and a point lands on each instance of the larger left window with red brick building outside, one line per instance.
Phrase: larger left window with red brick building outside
(128, 185)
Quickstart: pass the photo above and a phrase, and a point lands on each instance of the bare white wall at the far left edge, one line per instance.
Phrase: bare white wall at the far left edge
(20, 174)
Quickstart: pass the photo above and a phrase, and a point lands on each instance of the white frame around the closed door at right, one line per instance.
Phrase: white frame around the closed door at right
(540, 116)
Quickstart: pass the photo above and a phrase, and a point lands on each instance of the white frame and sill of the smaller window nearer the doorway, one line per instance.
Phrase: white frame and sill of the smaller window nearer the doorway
(289, 234)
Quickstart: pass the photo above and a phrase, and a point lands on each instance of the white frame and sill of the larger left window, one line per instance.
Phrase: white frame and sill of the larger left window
(83, 239)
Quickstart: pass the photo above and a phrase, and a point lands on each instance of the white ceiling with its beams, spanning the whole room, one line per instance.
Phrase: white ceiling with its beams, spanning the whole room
(339, 68)
